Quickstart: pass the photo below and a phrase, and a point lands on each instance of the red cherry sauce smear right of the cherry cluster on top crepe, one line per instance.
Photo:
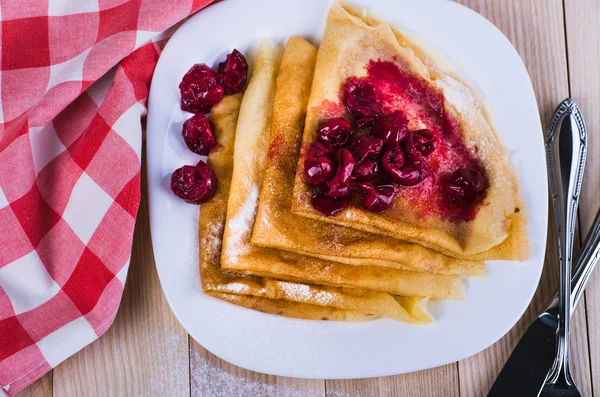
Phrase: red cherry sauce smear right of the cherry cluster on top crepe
(438, 150)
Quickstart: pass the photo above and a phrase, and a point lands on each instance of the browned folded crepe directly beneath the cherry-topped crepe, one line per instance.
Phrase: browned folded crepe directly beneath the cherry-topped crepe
(277, 227)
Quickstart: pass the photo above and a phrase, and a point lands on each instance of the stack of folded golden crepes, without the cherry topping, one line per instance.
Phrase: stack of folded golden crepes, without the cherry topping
(263, 246)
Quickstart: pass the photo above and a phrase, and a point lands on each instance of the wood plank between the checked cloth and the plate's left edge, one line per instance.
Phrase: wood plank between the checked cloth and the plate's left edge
(145, 352)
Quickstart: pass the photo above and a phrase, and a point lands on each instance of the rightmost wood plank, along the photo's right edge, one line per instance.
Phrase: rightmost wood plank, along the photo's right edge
(582, 19)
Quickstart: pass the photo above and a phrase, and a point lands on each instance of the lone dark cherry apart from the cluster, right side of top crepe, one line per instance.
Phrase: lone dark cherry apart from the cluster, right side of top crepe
(464, 187)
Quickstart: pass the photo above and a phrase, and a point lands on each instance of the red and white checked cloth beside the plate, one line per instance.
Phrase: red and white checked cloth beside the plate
(74, 79)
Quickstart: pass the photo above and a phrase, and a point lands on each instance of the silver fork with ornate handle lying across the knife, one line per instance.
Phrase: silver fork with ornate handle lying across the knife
(566, 148)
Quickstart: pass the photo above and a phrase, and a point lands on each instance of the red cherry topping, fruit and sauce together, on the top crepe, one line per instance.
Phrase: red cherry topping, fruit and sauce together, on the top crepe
(413, 149)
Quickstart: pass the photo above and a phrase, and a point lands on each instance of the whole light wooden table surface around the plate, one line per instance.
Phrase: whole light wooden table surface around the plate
(147, 353)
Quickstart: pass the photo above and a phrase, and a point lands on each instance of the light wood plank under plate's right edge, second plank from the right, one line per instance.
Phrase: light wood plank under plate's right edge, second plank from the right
(536, 29)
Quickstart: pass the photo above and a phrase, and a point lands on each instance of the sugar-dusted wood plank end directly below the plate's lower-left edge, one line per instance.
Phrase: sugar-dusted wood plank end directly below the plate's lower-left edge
(212, 377)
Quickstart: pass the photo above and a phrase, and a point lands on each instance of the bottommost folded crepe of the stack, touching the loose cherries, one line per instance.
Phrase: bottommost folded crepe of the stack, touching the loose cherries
(289, 299)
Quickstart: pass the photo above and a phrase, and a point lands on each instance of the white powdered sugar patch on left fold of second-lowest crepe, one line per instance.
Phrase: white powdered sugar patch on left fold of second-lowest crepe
(240, 226)
